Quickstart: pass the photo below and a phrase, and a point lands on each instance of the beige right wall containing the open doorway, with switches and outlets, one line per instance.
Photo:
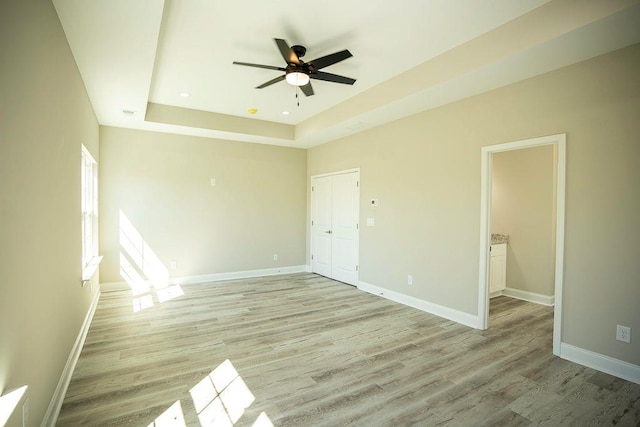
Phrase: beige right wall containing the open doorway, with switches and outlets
(425, 171)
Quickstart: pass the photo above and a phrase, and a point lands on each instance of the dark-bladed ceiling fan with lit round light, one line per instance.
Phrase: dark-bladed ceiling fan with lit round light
(298, 73)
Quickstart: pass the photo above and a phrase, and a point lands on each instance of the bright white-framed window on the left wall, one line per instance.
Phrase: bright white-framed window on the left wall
(89, 207)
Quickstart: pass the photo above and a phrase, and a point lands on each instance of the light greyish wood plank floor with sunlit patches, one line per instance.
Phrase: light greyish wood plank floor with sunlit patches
(304, 350)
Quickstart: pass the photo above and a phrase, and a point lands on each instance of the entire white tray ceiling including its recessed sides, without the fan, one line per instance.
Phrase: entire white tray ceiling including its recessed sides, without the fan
(409, 56)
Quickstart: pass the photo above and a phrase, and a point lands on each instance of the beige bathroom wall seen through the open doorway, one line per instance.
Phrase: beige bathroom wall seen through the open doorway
(522, 207)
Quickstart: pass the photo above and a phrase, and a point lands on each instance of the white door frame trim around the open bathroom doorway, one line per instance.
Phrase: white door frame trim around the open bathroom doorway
(559, 140)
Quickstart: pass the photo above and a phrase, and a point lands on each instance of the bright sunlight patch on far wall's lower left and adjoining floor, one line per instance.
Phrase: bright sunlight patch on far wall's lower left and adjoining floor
(143, 271)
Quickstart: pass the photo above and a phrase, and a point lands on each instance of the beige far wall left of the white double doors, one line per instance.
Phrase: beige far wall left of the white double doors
(161, 183)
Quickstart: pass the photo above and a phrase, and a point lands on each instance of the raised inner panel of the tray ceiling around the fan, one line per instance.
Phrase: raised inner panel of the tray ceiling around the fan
(200, 40)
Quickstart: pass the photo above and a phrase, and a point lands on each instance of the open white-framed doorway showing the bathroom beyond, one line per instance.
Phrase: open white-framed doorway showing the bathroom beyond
(522, 222)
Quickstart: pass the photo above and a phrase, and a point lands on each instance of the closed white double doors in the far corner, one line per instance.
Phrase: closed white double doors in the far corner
(335, 213)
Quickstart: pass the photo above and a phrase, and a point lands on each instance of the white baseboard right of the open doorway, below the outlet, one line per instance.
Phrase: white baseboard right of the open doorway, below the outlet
(626, 371)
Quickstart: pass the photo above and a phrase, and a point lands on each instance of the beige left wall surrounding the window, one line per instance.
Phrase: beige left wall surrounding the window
(45, 115)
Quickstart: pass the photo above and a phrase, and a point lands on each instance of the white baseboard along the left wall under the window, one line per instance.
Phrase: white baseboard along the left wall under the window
(51, 416)
